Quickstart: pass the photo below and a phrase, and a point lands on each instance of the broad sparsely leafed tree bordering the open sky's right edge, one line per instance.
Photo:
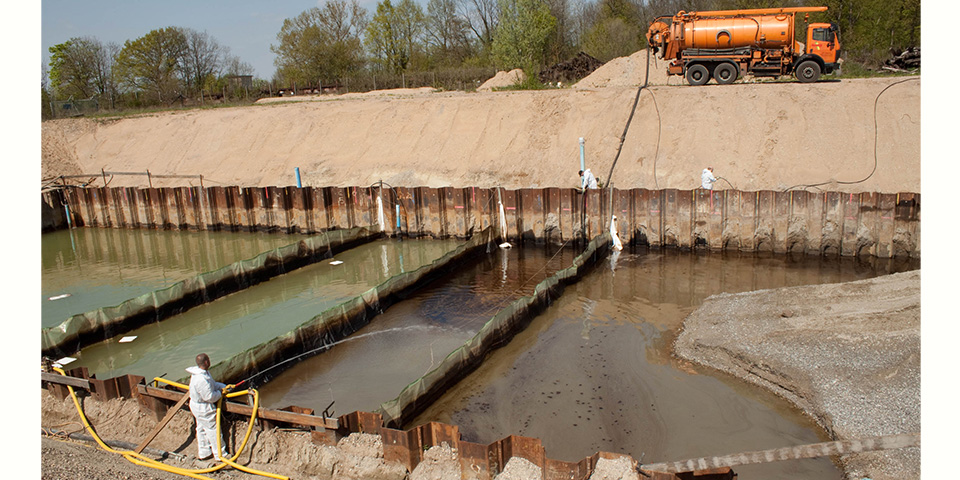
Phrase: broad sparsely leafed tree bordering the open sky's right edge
(321, 43)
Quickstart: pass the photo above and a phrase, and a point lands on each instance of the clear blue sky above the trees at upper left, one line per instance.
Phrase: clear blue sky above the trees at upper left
(246, 27)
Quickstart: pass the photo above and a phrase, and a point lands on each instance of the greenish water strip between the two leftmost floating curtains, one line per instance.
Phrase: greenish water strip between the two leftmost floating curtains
(244, 319)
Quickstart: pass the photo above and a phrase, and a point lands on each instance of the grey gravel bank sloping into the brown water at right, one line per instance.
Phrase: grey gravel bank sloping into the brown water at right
(847, 354)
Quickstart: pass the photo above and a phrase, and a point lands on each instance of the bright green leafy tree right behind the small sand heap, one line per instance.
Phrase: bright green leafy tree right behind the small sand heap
(522, 35)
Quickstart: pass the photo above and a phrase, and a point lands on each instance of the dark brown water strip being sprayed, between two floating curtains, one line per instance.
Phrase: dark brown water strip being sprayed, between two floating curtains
(413, 336)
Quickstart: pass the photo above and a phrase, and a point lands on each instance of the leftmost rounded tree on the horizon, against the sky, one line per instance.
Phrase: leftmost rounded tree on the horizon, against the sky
(81, 68)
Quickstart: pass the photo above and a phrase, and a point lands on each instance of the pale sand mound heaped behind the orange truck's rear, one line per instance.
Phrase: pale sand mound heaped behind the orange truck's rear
(629, 72)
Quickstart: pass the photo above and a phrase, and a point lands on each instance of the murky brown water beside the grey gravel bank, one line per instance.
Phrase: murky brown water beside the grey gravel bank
(594, 372)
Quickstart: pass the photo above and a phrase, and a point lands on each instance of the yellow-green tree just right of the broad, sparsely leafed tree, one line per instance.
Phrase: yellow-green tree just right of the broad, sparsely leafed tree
(393, 35)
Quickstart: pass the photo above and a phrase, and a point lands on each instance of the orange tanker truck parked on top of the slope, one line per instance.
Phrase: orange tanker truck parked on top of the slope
(727, 43)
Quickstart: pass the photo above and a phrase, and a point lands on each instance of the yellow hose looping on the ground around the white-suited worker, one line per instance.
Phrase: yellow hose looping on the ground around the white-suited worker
(141, 460)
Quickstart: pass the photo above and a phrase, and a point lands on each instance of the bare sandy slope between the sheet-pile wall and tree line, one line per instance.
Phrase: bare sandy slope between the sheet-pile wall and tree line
(757, 136)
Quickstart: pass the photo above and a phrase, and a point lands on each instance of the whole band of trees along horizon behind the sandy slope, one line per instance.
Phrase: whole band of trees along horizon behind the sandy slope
(449, 44)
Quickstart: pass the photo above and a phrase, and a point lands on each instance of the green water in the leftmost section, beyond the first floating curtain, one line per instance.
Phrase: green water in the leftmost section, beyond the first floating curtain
(84, 269)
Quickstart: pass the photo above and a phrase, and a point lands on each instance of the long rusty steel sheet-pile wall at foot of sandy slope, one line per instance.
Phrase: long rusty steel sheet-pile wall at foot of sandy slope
(881, 225)
